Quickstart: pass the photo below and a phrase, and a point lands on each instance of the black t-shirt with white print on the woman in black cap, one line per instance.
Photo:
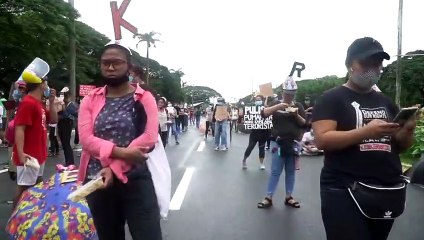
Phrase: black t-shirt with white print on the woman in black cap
(373, 160)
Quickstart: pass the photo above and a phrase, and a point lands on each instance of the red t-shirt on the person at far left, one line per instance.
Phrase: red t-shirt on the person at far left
(34, 116)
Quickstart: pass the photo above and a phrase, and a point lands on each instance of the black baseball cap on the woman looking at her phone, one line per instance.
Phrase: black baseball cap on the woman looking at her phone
(363, 48)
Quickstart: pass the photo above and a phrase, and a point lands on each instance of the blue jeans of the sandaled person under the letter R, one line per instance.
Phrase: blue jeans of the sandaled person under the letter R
(277, 166)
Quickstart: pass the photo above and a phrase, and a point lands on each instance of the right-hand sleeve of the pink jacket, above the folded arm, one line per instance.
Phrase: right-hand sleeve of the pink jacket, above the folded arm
(150, 135)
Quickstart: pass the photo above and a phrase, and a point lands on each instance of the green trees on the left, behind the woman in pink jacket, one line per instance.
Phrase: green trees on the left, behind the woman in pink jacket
(41, 28)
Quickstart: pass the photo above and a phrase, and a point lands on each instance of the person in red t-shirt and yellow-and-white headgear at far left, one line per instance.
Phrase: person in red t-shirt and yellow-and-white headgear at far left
(31, 132)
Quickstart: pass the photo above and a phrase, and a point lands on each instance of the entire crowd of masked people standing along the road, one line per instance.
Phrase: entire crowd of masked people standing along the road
(119, 124)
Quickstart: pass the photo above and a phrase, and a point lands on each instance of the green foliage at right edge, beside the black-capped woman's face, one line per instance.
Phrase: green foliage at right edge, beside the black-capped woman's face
(412, 77)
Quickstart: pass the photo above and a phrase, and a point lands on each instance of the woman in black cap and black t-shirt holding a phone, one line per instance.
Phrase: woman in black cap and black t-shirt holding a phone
(361, 186)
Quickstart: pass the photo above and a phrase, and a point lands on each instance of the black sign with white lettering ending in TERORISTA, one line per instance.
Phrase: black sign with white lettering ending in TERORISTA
(252, 118)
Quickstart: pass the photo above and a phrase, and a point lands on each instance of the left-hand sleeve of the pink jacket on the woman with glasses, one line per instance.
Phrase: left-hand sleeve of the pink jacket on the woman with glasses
(98, 148)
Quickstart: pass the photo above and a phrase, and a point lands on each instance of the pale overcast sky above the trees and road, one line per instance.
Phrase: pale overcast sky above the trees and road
(234, 46)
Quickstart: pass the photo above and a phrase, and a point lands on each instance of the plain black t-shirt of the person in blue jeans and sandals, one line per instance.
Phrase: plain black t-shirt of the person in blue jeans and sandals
(285, 125)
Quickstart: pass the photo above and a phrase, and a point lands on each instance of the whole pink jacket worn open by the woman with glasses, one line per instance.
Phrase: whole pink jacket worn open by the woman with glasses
(102, 149)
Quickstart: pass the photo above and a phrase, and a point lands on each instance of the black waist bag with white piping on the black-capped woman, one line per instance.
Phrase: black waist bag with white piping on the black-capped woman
(379, 202)
